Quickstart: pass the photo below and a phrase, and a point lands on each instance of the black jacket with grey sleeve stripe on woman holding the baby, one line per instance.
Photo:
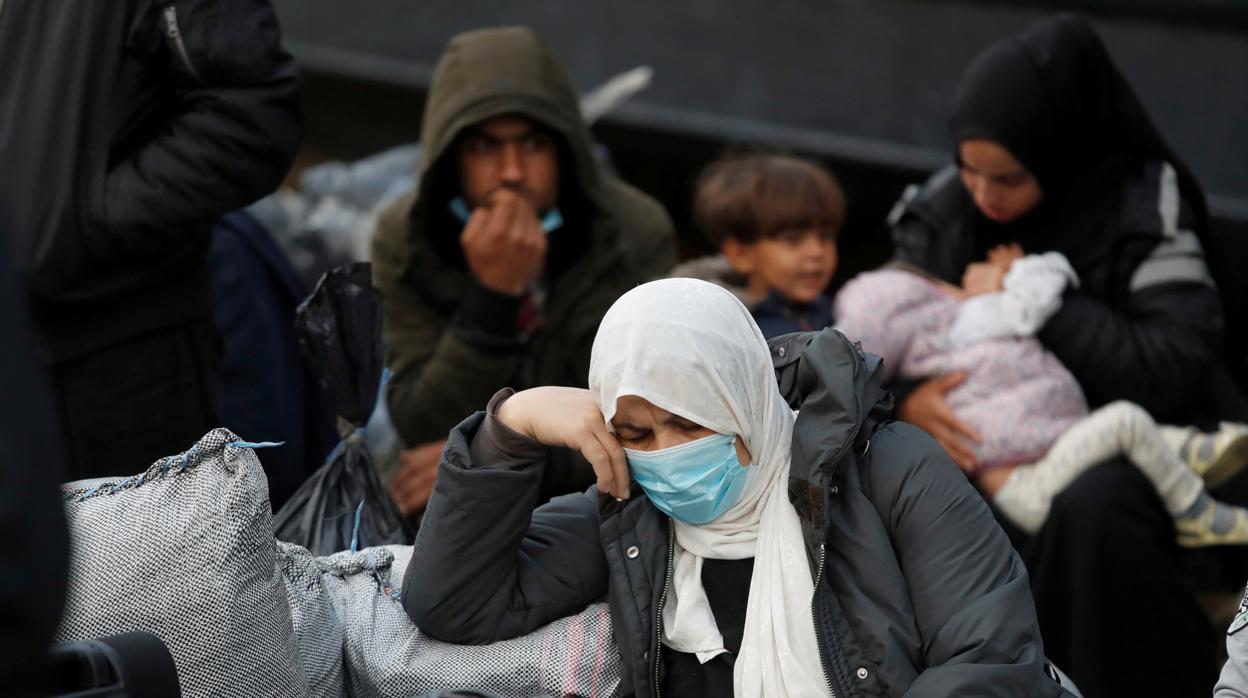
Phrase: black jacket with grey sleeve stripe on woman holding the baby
(1146, 325)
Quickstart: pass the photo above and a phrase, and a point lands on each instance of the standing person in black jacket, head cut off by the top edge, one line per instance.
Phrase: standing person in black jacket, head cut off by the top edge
(135, 125)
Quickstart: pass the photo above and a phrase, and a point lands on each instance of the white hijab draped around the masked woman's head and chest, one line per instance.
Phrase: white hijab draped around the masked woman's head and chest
(692, 349)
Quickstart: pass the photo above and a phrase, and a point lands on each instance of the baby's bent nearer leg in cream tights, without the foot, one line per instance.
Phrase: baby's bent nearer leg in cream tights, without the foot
(1116, 430)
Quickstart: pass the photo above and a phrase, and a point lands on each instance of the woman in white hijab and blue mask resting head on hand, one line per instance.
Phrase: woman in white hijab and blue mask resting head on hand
(829, 553)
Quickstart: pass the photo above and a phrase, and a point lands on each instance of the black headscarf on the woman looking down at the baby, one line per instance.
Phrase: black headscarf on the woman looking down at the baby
(1059, 104)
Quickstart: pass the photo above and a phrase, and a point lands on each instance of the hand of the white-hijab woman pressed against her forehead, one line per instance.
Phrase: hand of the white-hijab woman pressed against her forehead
(570, 418)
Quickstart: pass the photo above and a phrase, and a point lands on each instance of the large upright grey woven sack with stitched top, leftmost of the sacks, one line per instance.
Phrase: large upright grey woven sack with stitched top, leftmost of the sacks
(185, 551)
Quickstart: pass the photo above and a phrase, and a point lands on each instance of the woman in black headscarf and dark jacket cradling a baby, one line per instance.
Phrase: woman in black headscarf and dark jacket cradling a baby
(1055, 153)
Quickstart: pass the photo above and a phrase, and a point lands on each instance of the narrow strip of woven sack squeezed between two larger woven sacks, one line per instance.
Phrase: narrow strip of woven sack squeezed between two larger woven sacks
(318, 630)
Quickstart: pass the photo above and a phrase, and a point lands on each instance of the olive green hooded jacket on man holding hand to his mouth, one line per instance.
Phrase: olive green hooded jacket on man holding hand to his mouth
(452, 343)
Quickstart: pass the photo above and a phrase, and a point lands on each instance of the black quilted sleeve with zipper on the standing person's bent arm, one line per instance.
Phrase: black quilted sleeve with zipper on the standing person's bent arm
(233, 123)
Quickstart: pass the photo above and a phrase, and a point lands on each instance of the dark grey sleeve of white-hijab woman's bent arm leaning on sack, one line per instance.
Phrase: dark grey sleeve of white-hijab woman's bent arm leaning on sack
(489, 568)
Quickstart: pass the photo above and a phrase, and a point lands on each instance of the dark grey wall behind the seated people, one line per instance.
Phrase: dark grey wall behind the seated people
(867, 81)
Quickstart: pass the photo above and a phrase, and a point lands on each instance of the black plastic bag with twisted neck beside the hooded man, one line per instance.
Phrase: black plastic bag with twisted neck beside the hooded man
(344, 505)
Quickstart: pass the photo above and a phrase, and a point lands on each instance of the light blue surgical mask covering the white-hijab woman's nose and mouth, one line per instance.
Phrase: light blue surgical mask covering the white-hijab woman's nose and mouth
(695, 483)
